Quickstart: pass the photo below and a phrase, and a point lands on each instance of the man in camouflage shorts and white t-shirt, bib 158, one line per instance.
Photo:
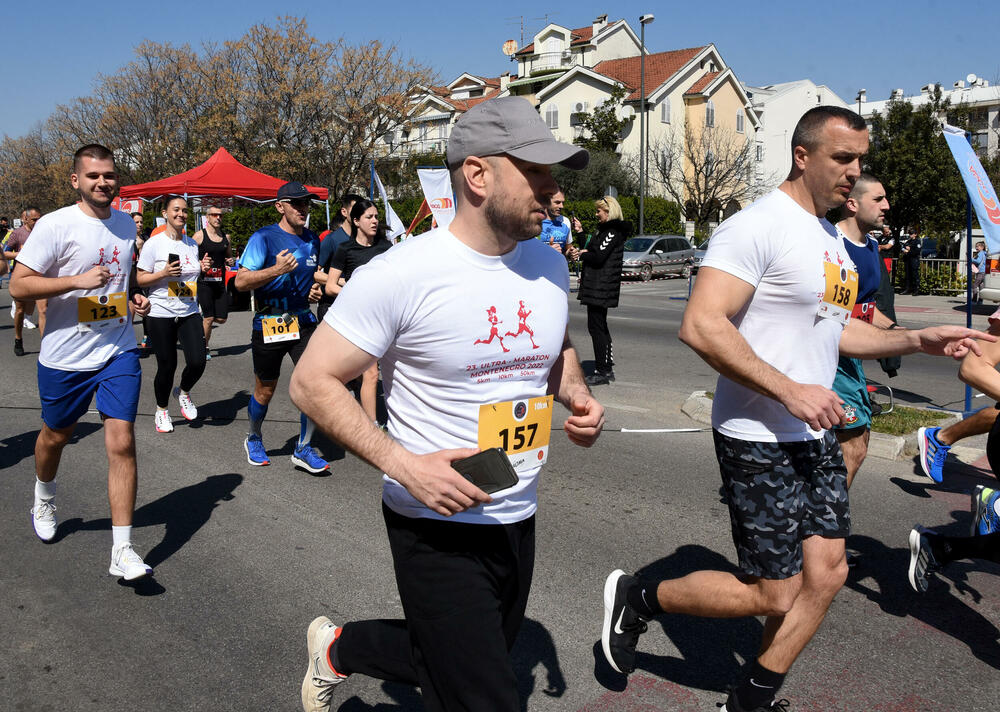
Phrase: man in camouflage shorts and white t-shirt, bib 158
(770, 311)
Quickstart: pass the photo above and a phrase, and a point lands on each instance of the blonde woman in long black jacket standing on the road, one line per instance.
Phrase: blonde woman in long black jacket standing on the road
(600, 282)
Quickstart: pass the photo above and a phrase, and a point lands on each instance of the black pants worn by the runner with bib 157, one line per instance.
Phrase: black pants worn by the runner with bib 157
(464, 589)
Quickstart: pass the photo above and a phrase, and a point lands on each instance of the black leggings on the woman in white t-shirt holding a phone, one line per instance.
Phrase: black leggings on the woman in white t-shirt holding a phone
(164, 334)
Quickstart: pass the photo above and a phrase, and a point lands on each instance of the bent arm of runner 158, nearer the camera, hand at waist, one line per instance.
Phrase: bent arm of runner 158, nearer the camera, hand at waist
(707, 329)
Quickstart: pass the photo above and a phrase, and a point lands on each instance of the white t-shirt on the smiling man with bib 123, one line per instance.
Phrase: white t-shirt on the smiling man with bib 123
(69, 242)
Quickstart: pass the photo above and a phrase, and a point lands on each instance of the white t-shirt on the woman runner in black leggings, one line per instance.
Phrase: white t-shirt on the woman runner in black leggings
(178, 301)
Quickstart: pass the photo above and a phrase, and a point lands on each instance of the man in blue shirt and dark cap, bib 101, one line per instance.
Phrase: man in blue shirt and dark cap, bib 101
(279, 264)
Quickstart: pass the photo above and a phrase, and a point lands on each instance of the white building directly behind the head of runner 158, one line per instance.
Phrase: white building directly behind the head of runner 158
(780, 106)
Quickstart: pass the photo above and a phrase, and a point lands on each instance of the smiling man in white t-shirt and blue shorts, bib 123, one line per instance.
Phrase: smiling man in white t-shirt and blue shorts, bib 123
(80, 259)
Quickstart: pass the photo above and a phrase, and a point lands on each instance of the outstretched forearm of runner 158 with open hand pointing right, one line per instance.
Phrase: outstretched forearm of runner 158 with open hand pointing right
(861, 340)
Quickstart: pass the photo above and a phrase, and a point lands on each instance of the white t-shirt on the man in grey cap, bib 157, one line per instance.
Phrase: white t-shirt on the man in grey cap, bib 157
(439, 315)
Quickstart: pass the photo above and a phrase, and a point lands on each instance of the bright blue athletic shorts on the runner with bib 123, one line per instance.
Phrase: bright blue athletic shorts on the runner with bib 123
(66, 395)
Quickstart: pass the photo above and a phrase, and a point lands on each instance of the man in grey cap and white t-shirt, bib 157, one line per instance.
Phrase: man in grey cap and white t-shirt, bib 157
(463, 559)
